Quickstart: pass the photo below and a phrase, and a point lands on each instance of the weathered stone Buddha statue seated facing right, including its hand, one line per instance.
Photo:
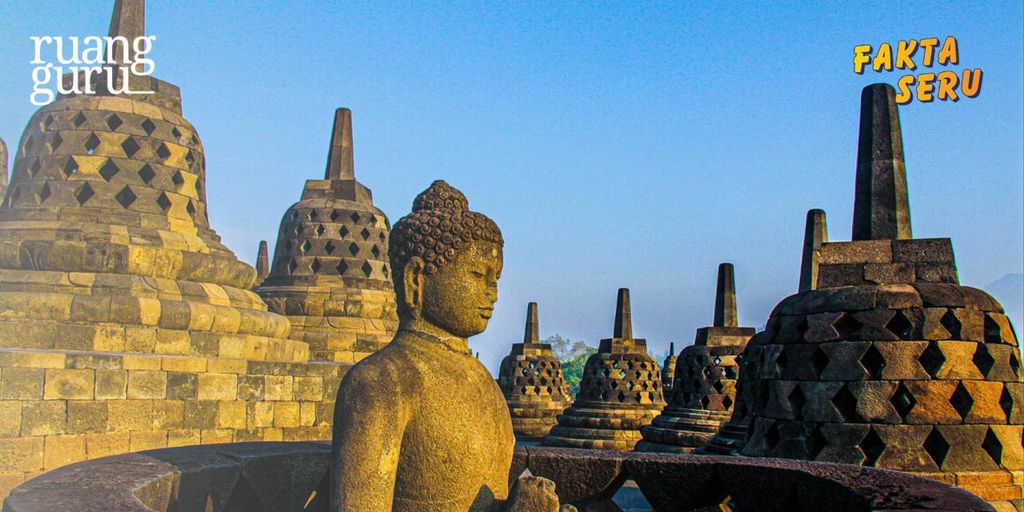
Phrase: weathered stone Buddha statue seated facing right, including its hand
(421, 425)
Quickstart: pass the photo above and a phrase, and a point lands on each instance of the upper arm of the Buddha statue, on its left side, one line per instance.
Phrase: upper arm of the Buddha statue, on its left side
(369, 424)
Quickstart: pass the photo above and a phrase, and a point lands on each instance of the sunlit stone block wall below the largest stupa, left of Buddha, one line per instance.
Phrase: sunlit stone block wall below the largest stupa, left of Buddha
(59, 408)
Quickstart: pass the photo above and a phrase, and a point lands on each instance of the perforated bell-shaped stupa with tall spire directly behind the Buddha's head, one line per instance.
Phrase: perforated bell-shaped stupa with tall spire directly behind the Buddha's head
(330, 273)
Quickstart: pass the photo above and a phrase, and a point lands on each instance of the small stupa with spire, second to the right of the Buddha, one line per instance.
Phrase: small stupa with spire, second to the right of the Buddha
(620, 393)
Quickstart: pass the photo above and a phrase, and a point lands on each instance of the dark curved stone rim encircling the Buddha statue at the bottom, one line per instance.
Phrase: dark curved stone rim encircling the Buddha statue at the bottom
(292, 477)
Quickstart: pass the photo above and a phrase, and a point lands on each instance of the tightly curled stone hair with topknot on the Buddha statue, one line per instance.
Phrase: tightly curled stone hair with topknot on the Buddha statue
(440, 227)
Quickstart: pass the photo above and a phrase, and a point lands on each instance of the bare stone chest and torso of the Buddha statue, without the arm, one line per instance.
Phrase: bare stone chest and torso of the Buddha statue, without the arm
(458, 442)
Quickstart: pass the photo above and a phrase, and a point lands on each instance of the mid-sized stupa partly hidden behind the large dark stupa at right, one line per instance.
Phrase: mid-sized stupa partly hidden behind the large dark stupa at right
(705, 379)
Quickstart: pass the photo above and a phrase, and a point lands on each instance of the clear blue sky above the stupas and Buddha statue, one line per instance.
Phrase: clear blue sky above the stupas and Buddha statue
(617, 145)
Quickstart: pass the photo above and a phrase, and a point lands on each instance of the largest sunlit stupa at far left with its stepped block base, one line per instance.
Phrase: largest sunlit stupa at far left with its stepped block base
(125, 323)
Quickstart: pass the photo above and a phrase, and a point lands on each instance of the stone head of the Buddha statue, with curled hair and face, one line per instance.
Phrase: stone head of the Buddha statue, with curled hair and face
(446, 262)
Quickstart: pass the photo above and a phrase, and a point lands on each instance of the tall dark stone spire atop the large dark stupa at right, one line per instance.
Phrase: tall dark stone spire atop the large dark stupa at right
(882, 208)
